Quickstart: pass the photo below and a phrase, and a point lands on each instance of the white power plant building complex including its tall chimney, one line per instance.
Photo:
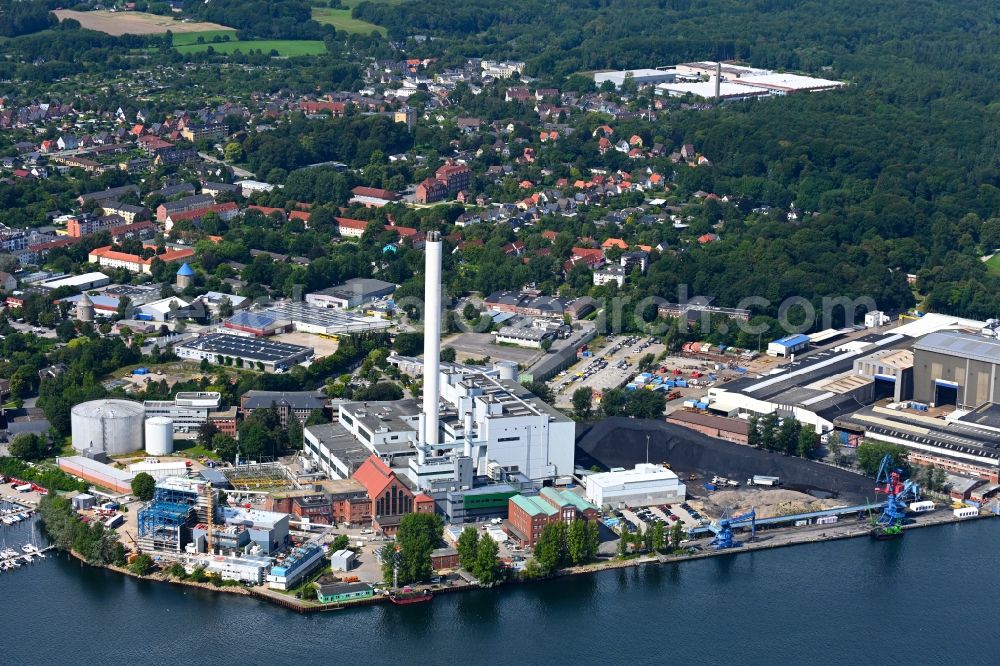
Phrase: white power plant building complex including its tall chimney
(469, 421)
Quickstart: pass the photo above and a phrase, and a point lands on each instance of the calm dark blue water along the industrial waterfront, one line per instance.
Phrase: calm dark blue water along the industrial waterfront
(926, 599)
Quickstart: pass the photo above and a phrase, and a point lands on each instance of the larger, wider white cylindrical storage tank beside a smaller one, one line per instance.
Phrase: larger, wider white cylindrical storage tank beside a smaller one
(111, 426)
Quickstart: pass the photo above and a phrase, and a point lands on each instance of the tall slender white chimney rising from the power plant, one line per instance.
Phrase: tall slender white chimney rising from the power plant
(432, 336)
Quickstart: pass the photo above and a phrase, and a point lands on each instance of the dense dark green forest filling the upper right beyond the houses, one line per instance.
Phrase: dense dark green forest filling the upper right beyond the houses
(897, 174)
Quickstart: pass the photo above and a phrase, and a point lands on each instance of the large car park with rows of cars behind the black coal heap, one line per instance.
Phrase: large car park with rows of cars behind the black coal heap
(608, 368)
